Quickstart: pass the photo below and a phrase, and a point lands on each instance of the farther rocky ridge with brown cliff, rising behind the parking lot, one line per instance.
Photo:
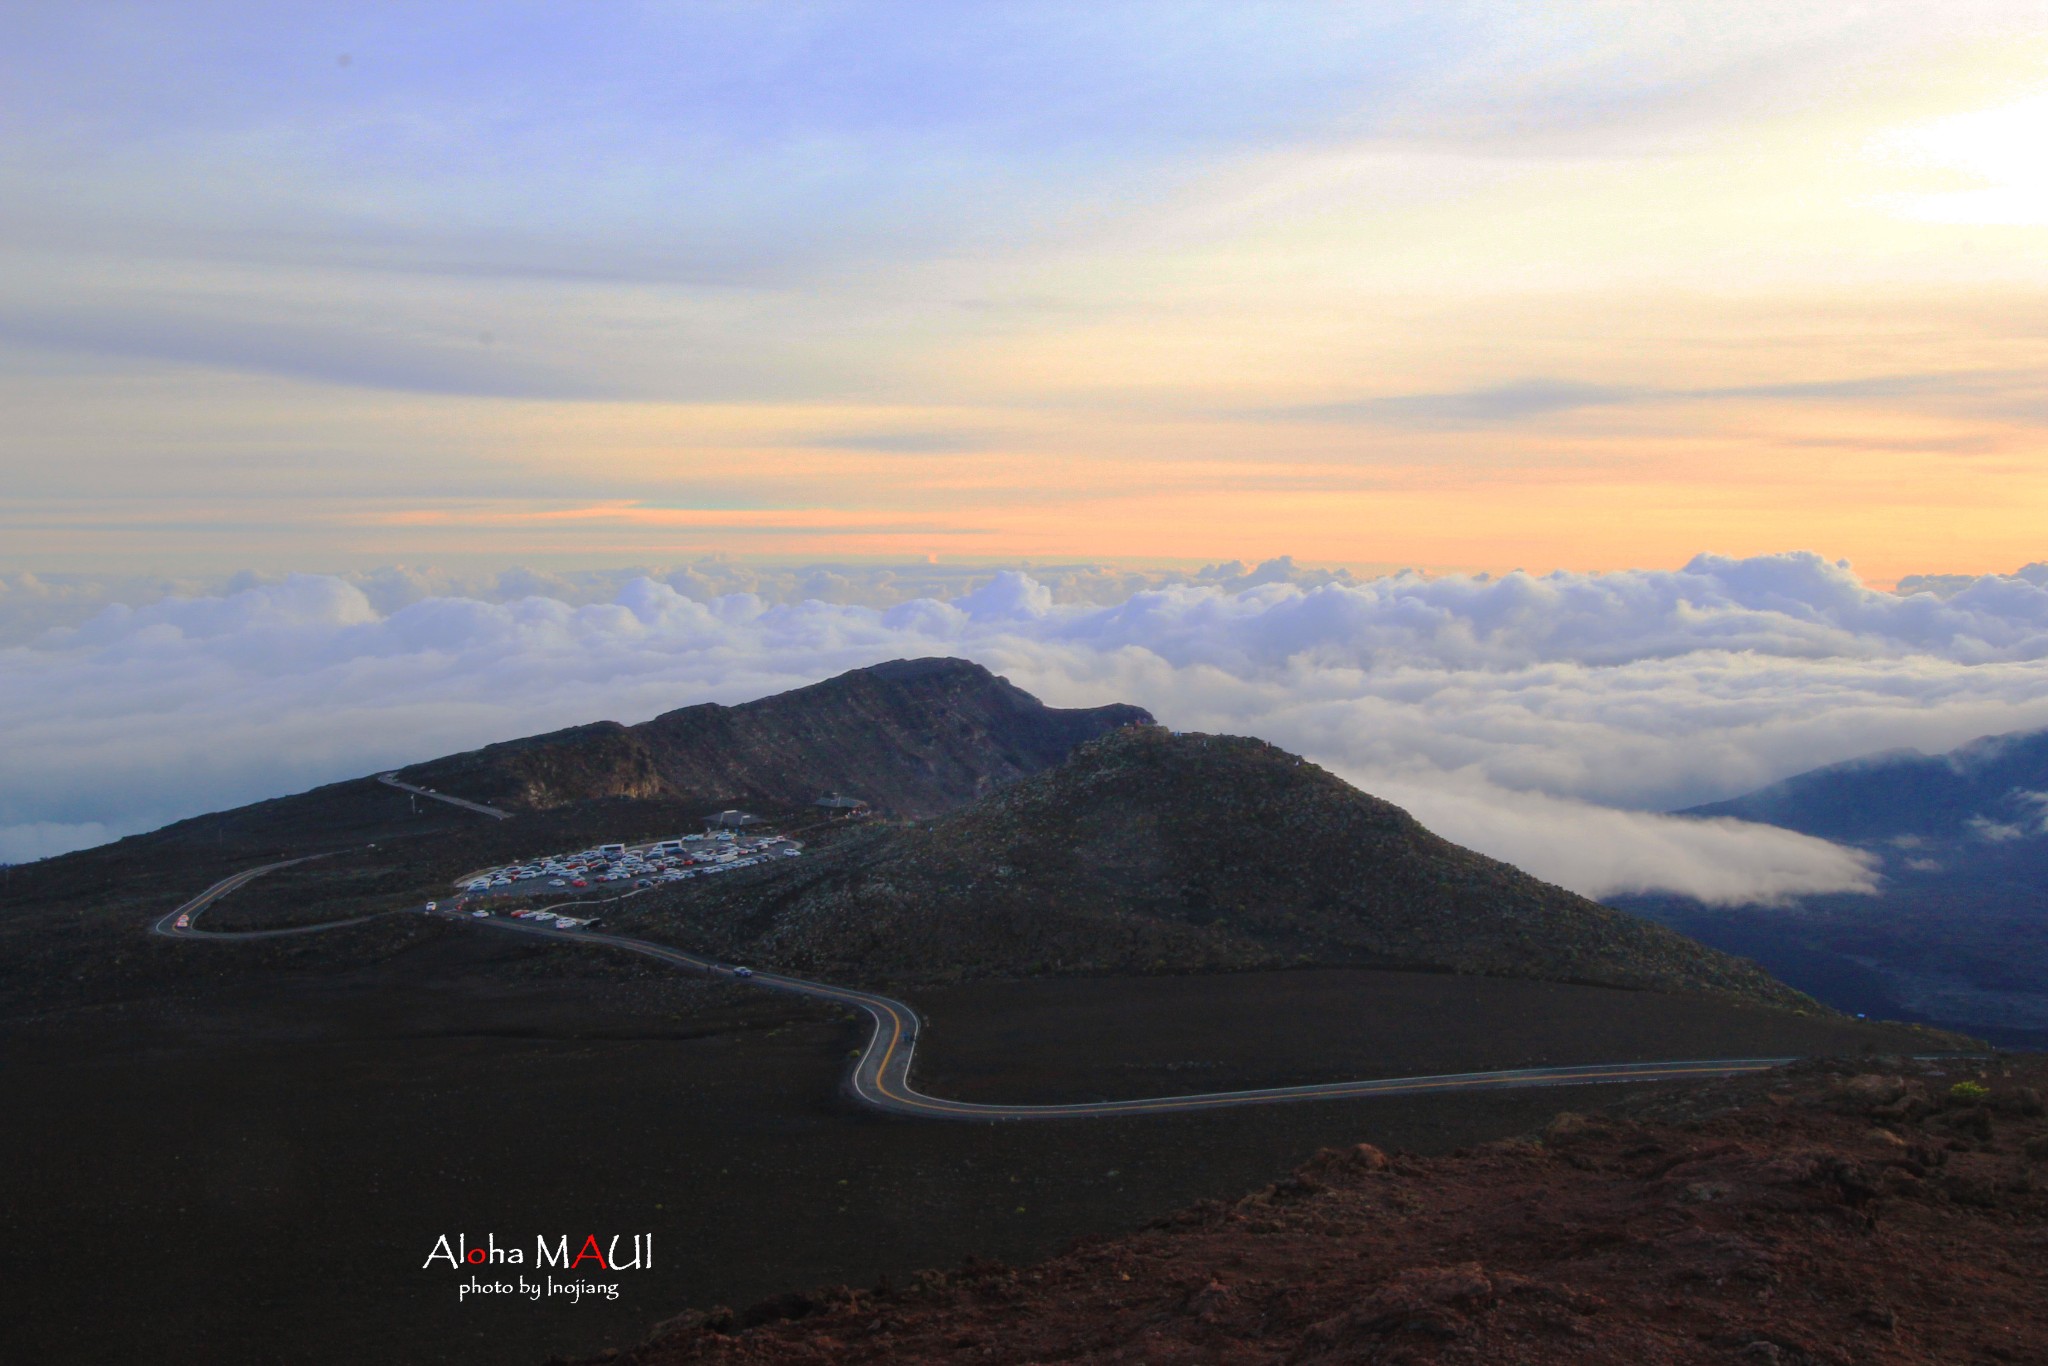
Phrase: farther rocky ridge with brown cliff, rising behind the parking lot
(912, 738)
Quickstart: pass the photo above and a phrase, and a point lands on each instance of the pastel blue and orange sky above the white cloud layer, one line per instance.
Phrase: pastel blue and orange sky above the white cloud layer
(1447, 286)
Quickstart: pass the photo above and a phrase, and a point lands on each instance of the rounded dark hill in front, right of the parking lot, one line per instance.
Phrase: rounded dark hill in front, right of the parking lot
(1156, 853)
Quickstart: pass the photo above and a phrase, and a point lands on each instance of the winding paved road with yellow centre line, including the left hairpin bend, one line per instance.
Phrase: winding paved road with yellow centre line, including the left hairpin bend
(882, 1074)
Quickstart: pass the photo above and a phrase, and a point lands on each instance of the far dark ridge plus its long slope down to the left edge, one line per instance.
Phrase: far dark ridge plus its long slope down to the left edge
(912, 738)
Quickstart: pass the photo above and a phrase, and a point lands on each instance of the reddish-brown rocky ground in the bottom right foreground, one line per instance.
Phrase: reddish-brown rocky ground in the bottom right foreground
(1830, 1213)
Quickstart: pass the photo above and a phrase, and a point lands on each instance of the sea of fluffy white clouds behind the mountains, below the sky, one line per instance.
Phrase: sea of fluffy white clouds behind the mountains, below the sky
(1543, 720)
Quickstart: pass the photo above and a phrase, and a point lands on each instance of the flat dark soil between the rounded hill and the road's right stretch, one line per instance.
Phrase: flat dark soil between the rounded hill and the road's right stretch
(1113, 1037)
